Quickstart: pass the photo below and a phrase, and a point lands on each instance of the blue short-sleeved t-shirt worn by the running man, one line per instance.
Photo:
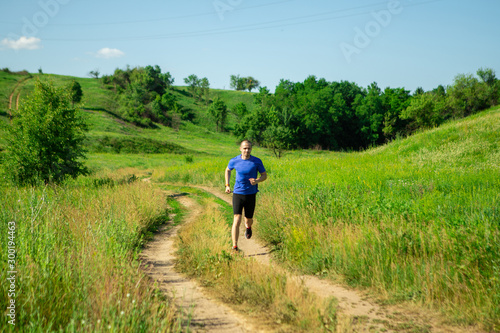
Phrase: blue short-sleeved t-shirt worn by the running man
(246, 169)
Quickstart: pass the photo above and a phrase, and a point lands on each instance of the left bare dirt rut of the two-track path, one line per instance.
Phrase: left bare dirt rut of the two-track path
(200, 311)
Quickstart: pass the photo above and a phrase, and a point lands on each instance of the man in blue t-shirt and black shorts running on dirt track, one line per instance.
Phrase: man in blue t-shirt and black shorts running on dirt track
(245, 188)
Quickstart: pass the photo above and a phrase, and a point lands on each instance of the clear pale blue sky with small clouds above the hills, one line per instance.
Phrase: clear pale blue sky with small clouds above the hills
(405, 43)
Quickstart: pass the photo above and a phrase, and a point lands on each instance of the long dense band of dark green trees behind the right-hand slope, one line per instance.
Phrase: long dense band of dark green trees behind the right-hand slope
(344, 116)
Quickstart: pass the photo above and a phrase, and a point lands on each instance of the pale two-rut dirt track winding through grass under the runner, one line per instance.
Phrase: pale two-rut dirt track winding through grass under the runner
(358, 312)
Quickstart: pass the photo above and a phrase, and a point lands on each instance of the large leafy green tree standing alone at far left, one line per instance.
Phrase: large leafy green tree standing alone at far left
(45, 138)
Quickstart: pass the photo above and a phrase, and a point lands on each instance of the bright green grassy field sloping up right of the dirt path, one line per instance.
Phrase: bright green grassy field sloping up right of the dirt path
(417, 220)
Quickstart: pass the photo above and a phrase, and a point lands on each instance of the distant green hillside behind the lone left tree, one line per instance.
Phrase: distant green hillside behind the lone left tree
(110, 133)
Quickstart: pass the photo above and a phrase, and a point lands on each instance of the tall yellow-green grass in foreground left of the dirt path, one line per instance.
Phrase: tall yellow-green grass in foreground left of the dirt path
(77, 261)
